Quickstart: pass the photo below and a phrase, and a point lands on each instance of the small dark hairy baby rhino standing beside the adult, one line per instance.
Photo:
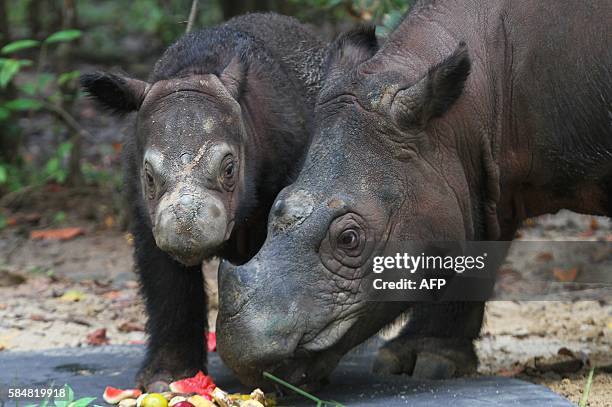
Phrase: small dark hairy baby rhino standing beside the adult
(221, 126)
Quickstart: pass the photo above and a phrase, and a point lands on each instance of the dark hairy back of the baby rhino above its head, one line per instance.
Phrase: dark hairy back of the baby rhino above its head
(280, 46)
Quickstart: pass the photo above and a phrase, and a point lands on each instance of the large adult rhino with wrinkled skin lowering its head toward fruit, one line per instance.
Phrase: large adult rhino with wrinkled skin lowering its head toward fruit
(427, 139)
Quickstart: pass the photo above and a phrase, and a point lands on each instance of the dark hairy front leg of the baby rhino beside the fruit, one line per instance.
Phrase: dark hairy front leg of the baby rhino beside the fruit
(175, 303)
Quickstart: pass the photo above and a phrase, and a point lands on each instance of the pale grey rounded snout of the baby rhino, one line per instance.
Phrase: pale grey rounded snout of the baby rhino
(191, 226)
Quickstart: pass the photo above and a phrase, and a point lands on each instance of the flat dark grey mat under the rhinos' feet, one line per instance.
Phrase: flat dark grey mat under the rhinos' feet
(89, 370)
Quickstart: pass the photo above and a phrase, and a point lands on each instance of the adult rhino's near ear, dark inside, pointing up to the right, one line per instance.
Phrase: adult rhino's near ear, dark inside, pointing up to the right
(435, 93)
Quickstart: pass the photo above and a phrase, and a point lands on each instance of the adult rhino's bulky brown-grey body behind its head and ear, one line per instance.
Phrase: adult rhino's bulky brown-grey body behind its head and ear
(540, 82)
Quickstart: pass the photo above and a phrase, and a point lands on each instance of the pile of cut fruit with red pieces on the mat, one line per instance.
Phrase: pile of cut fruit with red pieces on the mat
(197, 391)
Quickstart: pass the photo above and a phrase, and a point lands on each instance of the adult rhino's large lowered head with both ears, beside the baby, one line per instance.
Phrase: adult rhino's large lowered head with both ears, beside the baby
(382, 168)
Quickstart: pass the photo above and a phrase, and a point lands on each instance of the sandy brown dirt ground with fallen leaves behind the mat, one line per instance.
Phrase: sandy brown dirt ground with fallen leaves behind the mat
(83, 292)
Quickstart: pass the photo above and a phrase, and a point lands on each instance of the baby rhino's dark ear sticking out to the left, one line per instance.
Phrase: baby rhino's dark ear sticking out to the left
(117, 93)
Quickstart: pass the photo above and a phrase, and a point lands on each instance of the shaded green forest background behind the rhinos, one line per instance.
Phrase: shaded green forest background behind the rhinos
(51, 136)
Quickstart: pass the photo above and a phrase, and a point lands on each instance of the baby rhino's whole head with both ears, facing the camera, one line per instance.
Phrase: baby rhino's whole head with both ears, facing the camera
(189, 158)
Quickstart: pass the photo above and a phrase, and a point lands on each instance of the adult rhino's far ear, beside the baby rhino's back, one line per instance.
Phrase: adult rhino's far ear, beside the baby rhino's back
(351, 49)
